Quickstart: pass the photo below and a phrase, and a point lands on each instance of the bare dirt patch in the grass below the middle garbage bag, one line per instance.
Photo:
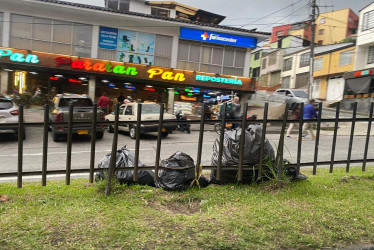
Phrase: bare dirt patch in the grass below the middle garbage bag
(177, 207)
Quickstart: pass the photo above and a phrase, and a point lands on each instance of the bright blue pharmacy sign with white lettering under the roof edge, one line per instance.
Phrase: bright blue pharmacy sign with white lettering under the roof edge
(218, 38)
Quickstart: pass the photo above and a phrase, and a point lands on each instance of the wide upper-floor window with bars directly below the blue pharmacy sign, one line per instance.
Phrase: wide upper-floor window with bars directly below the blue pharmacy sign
(212, 59)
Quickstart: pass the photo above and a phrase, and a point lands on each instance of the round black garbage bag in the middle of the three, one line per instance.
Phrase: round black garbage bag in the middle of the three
(179, 173)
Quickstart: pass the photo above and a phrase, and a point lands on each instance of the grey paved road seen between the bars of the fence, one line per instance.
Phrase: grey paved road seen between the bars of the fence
(174, 142)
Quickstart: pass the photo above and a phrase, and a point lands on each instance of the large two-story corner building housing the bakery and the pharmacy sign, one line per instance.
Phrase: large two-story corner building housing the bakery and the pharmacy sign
(128, 46)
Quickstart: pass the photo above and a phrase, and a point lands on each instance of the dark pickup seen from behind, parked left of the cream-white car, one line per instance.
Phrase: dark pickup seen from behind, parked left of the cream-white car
(82, 112)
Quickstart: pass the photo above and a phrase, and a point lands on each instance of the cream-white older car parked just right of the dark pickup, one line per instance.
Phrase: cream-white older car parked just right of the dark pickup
(150, 112)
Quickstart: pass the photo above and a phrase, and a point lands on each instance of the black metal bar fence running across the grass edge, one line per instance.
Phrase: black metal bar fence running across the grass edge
(240, 167)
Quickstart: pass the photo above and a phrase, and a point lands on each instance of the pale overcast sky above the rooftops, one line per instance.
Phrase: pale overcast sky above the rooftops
(262, 14)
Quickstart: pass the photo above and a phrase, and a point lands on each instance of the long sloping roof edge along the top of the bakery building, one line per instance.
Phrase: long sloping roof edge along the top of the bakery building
(102, 9)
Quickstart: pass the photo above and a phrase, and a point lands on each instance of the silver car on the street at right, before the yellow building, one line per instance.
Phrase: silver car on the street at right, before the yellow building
(290, 96)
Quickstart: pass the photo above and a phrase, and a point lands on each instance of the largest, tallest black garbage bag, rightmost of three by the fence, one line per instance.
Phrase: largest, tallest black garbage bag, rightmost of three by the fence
(251, 156)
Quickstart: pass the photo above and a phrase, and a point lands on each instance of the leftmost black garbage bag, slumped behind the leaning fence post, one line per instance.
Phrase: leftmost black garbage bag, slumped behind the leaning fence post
(125, 158)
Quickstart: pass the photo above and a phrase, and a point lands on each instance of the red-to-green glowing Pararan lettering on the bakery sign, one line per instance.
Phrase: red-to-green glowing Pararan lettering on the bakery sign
(97, 67)
